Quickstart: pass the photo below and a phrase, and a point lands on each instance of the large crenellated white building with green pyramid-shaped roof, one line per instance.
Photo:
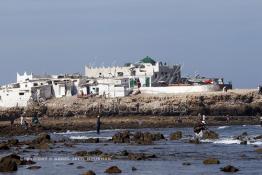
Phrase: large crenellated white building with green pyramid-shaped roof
(148, 72)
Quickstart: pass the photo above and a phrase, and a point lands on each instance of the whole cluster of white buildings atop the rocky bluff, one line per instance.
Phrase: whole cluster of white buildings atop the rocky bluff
(147, 76)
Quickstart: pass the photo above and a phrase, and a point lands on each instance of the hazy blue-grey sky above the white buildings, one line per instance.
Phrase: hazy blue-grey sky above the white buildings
(221, 38)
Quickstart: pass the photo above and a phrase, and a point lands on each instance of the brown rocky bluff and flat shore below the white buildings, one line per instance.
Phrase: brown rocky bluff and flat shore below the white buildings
(141, 111)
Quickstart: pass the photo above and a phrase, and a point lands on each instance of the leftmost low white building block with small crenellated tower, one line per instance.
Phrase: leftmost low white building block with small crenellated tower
(38, 87)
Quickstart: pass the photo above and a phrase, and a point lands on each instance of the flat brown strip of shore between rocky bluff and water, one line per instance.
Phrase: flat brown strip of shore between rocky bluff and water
(82, 123)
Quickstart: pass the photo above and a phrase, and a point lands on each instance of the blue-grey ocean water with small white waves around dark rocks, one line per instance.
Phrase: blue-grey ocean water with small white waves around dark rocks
(170, 154)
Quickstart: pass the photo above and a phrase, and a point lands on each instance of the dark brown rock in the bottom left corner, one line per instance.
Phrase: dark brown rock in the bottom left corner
(8, 164)
